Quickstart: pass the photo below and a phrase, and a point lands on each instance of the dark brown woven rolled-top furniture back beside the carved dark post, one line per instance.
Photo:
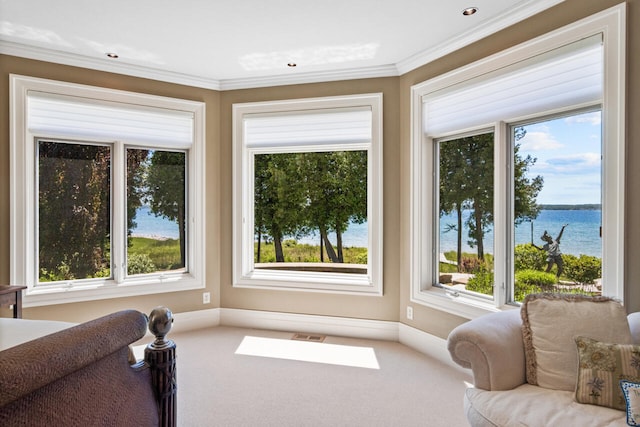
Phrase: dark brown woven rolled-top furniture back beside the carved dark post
(80, 376)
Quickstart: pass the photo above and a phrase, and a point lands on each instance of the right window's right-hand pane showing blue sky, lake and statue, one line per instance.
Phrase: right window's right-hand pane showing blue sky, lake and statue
(558, 164)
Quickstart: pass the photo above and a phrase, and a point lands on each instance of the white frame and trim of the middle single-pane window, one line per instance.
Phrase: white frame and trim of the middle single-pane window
(244, 275)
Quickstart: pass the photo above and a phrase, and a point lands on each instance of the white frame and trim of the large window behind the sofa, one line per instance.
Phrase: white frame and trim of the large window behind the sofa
(611, 24)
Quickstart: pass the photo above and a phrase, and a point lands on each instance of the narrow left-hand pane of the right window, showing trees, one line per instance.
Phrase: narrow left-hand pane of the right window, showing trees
(466, 213)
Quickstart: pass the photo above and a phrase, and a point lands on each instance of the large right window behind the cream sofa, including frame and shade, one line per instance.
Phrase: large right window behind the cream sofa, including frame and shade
(486, 184)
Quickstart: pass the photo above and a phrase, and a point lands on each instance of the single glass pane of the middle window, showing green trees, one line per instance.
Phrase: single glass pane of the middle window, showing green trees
(311, 211)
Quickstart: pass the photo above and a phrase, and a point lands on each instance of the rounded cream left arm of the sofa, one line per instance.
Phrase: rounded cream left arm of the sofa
(492, 347)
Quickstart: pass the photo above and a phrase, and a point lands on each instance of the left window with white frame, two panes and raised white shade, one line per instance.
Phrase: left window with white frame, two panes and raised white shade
(106, 192)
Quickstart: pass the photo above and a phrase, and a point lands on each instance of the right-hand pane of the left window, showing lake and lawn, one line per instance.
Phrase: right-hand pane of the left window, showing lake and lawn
(155, 211)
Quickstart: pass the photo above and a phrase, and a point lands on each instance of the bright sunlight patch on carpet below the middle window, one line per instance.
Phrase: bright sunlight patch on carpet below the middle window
(305, 351)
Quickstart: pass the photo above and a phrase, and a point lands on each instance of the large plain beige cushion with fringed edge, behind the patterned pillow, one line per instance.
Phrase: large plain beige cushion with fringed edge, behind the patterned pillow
(550, 323)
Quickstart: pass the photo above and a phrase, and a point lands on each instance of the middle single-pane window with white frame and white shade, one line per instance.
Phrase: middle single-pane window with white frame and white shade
(307, 194)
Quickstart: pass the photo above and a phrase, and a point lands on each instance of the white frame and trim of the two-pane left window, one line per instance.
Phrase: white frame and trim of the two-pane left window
(23, 210)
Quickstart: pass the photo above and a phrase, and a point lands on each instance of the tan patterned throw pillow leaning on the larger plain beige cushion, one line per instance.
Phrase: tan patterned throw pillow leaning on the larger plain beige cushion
(601, 367)
